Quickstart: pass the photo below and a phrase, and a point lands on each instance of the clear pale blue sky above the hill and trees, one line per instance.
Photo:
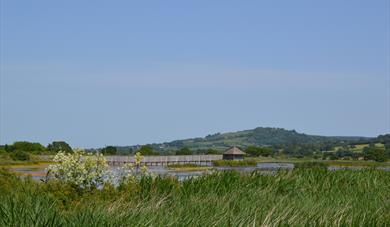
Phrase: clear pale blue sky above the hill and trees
(95, 73)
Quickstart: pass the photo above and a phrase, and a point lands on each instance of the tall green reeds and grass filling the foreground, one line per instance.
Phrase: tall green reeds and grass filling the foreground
(303, 197)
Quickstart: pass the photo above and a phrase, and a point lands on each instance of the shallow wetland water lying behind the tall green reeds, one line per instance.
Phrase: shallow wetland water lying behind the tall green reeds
(38, 172)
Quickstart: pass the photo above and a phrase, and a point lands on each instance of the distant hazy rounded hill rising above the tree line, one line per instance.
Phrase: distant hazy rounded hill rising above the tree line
(255, 137)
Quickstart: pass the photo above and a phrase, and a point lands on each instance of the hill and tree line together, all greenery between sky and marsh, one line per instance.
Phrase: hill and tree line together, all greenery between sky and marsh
(259, 142)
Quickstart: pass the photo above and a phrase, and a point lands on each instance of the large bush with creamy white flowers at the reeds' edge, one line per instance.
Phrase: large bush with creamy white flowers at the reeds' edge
(79, 168)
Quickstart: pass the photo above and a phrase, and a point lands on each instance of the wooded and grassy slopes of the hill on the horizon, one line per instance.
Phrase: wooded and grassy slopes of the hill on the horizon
(277, 138)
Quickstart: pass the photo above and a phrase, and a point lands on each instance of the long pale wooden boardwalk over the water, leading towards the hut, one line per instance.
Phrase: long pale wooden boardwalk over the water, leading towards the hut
(164, 160)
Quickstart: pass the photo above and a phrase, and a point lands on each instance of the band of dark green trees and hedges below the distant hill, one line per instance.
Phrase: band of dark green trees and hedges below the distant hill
(323, 150)
